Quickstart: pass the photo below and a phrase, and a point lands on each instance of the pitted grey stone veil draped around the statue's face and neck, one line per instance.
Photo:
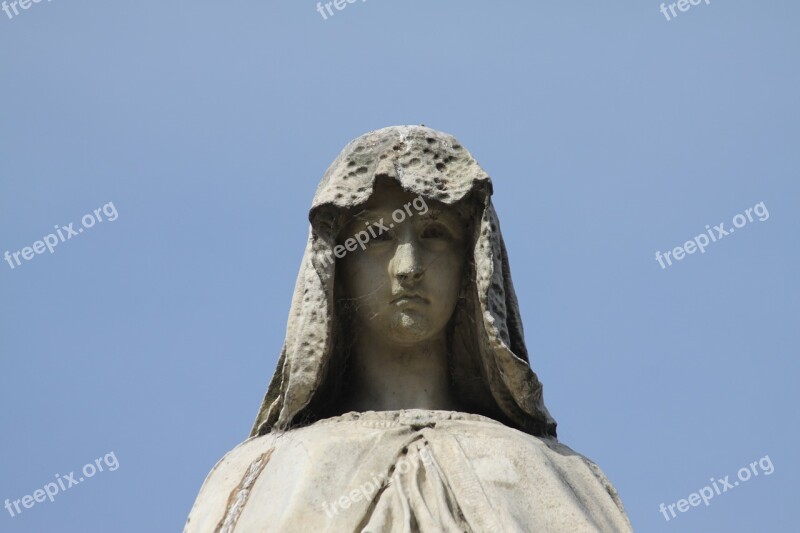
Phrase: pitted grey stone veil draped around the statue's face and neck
(490, 369)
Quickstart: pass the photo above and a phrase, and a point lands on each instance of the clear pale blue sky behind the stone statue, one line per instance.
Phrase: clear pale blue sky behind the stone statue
(610, 133)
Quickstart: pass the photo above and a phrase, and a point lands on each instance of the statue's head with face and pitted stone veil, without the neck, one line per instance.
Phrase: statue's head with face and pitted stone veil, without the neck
(404, 244)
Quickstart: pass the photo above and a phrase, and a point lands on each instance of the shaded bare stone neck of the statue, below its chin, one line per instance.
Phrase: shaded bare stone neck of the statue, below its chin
(389, 377)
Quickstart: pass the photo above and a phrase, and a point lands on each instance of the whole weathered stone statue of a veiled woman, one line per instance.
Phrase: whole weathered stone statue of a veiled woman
(403, 400)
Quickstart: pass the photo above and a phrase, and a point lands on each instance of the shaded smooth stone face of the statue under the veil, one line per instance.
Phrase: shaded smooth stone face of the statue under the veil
(405, 282)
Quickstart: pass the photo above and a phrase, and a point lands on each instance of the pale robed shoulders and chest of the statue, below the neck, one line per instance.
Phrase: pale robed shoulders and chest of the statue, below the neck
(475, 475)
